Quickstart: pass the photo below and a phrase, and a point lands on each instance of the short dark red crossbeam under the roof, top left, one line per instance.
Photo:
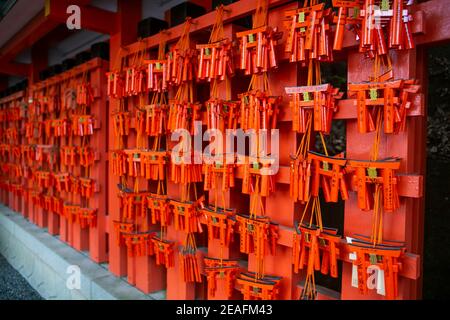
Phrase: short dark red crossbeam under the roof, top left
(92, 18)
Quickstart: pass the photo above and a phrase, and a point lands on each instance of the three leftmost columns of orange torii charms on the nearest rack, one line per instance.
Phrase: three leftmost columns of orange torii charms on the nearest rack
(151, 120)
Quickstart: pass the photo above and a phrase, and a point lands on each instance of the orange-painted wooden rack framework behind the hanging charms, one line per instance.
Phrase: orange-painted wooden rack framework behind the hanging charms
(403, 225)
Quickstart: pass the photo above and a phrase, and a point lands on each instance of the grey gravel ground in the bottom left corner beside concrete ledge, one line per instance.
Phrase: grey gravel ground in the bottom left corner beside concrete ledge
(13, 286)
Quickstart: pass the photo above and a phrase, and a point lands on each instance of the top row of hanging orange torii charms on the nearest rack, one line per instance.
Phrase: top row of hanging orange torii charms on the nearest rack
(380, 25)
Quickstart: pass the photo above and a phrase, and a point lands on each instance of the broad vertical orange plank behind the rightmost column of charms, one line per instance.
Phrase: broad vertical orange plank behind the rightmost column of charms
(396, 225)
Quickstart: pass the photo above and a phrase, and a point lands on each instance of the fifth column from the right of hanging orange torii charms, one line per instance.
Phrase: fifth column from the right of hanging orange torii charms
(183, 112)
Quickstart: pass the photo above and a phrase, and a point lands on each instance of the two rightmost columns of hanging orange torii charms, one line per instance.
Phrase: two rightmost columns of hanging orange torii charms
(375, 179)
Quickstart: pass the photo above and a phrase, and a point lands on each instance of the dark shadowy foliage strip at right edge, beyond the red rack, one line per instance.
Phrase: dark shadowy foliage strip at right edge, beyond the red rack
(436, 260)
